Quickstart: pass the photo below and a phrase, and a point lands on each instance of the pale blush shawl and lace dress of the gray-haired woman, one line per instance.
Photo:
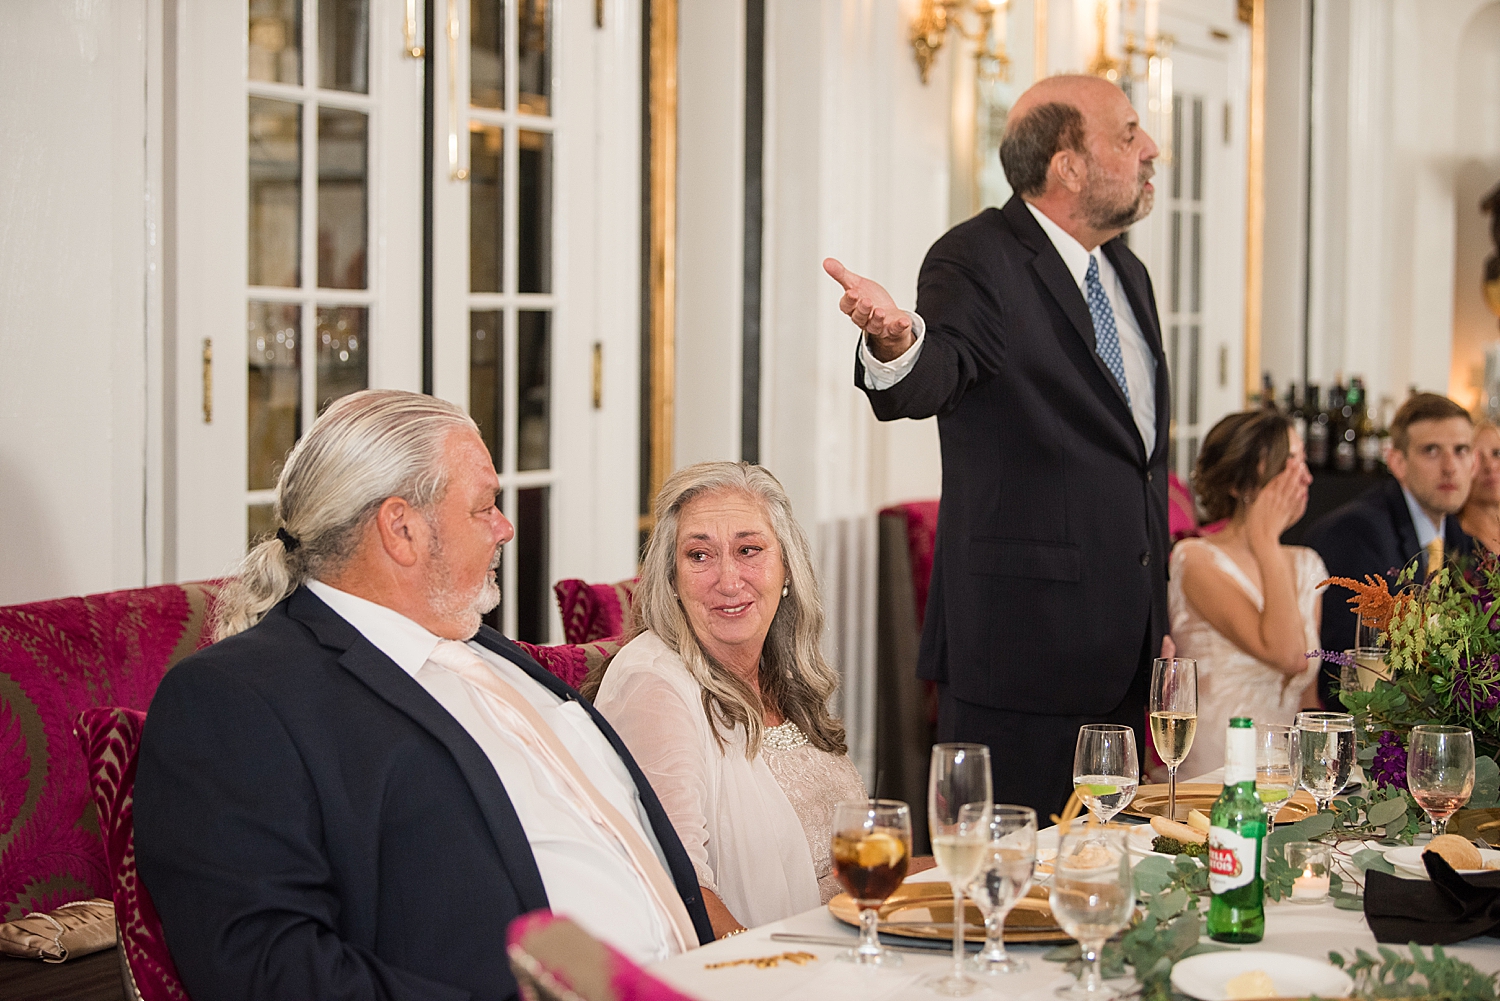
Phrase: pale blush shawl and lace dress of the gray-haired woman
(755, 829)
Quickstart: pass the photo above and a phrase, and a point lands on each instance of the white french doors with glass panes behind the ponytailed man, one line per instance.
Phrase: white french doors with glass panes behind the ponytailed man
(296, 212)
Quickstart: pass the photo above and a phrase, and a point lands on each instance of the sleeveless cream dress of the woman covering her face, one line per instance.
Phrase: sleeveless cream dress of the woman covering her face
(1232, 682)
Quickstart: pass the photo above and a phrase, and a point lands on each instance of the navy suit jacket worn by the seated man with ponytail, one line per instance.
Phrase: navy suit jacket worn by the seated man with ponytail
(313, 825)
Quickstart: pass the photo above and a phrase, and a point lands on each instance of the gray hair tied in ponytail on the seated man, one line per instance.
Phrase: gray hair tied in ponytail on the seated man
(364, 449)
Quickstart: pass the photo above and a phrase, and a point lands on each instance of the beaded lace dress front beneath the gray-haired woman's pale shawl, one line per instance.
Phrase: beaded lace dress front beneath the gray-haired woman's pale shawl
(814, 781)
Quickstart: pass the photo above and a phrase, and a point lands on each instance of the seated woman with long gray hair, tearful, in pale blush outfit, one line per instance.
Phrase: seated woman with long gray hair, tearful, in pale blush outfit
(722, 694)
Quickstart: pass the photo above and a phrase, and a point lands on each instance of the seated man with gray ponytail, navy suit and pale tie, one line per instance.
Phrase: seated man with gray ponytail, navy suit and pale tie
(359, 787)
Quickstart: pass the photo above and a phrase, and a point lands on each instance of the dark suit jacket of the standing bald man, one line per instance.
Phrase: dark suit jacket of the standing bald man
(1051, 565)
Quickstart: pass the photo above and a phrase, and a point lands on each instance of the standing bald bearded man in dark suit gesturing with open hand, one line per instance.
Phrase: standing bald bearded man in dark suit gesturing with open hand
(1036, 343)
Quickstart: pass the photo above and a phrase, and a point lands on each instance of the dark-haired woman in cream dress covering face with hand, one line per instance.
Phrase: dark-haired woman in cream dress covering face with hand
(1244, 606)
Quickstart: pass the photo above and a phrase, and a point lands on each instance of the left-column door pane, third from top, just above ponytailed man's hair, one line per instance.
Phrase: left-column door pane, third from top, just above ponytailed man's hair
(275, 389)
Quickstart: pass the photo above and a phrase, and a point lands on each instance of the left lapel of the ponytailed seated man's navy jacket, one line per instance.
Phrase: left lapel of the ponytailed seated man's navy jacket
(400, 690)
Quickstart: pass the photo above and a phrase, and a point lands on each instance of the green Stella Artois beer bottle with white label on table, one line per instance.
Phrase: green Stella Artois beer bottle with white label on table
(1237, 843)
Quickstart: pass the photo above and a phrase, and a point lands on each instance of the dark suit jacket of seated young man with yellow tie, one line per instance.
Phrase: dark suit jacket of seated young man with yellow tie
(1370, 535)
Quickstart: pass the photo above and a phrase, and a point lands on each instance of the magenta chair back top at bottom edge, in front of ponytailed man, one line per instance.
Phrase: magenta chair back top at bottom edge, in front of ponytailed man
(554, 960)
